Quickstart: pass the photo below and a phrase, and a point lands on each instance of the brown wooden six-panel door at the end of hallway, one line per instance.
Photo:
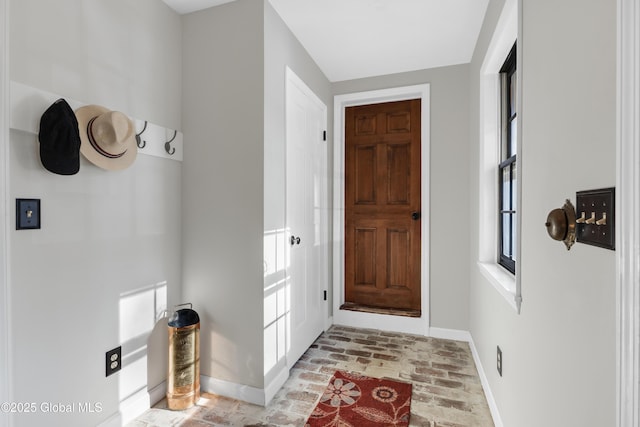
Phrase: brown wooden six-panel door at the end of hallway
(382, 206)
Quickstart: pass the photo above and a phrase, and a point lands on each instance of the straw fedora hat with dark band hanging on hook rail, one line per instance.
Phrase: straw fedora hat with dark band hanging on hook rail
(107, 137)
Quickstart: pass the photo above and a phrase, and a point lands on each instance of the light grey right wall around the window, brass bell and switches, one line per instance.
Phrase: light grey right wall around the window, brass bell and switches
(559, 354)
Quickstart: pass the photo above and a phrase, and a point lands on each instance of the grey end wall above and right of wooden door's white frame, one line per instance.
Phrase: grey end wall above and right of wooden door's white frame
(449, 178)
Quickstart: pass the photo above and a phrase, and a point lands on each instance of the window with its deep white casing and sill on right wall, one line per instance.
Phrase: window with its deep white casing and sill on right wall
(493, 79)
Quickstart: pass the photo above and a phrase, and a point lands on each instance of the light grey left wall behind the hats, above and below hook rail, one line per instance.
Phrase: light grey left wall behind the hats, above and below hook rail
(108, 257)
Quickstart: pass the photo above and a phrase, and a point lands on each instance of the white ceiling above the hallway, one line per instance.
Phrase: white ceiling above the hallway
(351, 39)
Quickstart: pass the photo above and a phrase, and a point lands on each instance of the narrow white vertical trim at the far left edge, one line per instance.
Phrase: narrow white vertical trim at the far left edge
(5, 307)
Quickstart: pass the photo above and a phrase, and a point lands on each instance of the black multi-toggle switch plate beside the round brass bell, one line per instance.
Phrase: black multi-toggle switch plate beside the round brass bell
(595, 213)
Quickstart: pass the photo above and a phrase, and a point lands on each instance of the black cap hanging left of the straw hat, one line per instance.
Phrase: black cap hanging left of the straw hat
(59, 139)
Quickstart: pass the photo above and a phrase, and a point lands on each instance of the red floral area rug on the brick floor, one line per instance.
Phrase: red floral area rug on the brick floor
(354, 400)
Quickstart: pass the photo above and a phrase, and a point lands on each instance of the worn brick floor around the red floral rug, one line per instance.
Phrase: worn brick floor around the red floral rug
(446, 387)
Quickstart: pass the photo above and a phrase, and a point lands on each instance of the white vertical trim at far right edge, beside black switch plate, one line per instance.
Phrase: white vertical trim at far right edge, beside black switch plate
(628, 204)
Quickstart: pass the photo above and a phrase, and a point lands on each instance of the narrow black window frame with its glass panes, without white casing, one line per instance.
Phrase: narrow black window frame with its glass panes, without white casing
(507, 167)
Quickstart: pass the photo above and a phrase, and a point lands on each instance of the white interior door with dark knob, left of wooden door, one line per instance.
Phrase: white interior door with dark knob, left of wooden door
(306, 217)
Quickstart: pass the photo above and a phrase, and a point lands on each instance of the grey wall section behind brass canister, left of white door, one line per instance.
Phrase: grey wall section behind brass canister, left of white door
(223, 116)
